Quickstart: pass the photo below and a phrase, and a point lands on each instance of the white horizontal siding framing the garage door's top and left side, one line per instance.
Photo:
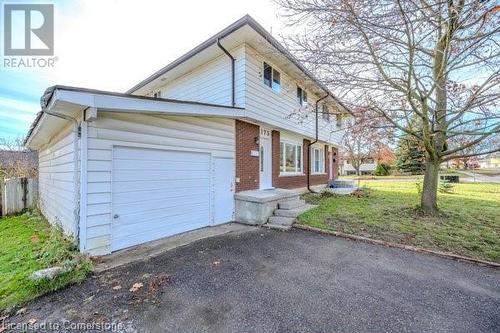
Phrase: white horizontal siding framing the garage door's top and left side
(213, 136)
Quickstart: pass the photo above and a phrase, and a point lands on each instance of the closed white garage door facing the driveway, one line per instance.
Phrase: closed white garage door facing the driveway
(158, 193)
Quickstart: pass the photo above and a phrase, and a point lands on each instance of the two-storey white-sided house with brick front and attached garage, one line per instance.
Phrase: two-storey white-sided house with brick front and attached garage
(167, 156)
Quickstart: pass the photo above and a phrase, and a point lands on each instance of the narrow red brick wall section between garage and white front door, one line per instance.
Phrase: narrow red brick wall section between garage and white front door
(247, 166)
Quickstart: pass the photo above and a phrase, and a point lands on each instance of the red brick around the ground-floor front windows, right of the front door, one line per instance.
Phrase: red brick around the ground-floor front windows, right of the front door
(295, 181)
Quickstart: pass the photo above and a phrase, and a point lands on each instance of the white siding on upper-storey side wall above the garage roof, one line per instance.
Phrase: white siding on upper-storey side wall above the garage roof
(211, 82)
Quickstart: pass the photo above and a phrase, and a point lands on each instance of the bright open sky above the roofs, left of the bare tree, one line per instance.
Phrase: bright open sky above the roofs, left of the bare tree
(112, 45)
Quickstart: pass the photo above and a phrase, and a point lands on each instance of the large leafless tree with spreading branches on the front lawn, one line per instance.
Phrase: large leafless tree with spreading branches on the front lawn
(432, 60)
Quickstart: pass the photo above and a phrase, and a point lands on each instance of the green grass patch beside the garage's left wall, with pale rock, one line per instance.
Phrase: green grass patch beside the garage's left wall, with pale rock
(27, 244)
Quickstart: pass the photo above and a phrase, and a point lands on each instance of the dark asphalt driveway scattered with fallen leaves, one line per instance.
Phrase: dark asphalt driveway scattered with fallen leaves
(269, 281)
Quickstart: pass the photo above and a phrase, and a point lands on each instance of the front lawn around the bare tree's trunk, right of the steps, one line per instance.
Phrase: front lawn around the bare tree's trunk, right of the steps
(470, 224)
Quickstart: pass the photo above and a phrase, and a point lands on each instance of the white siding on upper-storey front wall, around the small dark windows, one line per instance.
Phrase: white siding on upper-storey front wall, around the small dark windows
(265, 105)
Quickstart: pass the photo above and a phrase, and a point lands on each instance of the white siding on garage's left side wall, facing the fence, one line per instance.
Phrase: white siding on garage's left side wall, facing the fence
(57, 181)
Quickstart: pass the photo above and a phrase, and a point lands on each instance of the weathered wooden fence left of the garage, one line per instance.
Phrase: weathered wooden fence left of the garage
(18, 194)
